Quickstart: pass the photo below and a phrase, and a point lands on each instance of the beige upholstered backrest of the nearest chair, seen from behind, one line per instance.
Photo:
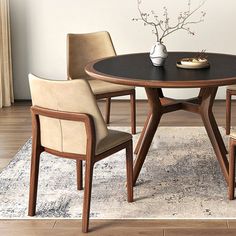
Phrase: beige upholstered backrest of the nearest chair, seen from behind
(71, 96)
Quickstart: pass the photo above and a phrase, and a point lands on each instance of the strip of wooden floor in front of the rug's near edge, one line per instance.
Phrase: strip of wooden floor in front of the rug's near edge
(119, 228)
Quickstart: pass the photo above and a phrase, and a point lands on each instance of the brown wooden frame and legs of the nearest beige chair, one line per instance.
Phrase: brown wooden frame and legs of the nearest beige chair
(90, 158)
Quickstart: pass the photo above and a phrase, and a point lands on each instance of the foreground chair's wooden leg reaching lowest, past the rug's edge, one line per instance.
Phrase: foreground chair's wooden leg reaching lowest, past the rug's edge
(87, 195)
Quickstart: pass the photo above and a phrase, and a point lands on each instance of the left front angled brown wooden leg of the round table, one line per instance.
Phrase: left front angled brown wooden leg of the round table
(155, 114)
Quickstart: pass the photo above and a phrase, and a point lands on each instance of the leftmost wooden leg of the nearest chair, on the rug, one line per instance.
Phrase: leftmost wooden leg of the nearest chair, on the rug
(35, 160)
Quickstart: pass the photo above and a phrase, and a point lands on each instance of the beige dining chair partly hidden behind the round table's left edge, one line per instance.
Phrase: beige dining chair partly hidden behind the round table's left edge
(84, 48)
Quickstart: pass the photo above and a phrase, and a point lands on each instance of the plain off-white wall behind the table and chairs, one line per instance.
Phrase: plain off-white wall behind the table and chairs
(39, 29)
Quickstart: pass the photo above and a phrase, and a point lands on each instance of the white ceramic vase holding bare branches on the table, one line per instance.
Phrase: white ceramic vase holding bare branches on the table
(158, 54)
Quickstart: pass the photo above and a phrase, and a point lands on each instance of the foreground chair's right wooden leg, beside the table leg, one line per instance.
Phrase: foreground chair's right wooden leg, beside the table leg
(129, 170)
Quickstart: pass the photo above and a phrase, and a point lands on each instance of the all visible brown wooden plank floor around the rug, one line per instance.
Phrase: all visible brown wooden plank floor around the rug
(15, 130)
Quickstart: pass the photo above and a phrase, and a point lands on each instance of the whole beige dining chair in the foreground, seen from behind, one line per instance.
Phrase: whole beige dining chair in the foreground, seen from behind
(67, 125)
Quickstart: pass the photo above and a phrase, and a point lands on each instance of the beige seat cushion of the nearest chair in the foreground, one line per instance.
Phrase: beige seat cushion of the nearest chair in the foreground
(113, 139)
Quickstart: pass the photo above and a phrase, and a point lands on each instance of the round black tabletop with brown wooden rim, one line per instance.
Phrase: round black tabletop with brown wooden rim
(137, 69)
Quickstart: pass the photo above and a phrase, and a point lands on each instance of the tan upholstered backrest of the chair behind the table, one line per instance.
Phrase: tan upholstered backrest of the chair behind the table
(84, 48)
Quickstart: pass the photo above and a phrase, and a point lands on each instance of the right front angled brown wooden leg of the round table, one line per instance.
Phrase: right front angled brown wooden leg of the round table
(208, 97)
